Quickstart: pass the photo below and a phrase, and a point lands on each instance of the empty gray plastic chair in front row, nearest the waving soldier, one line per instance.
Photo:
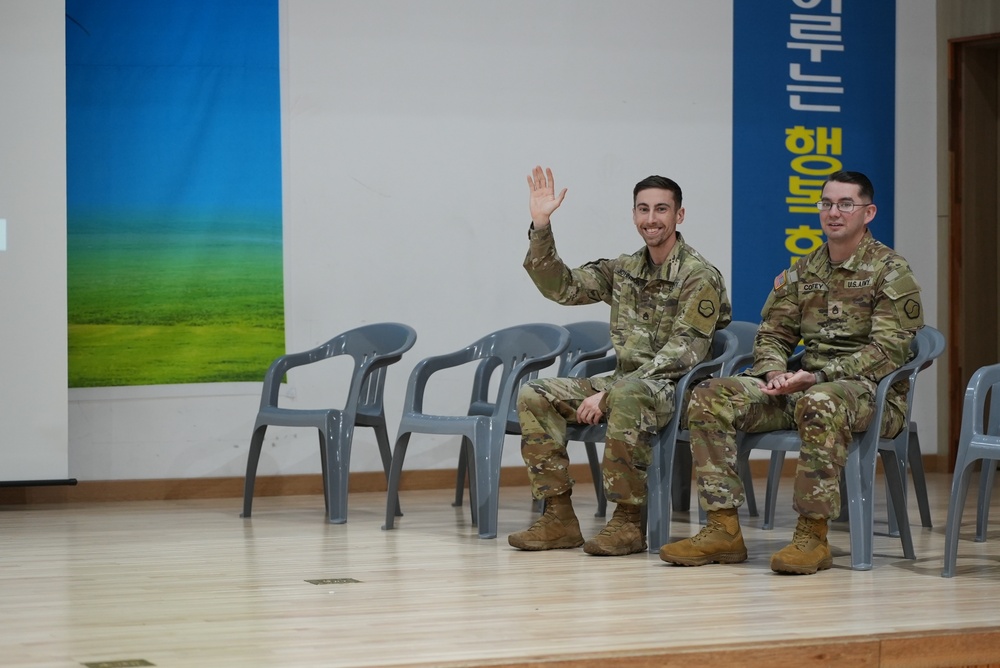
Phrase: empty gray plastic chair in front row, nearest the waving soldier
(519, 351)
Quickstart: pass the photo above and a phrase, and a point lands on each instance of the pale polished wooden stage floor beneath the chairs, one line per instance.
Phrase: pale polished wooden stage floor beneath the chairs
(190, 583)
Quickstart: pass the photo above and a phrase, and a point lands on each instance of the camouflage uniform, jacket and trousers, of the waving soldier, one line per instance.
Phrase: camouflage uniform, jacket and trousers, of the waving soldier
(662, 323)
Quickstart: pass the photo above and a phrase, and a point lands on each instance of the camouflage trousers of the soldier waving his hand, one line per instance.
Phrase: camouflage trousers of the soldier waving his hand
(636, 410)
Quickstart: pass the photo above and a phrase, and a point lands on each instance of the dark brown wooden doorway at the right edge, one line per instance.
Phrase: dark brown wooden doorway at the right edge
(974, 242)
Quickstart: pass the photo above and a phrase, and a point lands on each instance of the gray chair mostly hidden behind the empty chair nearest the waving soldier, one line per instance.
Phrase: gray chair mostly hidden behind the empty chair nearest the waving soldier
(588, 339)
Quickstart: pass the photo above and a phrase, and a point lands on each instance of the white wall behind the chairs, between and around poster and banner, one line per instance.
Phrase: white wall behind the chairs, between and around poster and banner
(408, 129)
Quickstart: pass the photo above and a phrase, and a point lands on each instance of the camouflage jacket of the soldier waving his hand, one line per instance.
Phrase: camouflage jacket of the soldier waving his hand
(662, 321)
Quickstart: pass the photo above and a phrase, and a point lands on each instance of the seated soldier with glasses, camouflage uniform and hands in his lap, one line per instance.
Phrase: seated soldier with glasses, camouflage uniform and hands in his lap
(855, 305)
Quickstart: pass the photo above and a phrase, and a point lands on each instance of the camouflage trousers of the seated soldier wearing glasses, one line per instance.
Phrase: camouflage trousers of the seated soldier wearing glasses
(825, 415)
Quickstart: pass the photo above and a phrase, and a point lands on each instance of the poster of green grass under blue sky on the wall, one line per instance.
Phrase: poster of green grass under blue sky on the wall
(173, 191)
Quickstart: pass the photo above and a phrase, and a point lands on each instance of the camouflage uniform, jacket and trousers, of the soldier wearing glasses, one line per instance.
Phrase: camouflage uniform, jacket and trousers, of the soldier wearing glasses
(856, 321)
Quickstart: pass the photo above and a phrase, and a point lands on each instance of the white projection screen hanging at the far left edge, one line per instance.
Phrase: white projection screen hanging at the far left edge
(33, 358)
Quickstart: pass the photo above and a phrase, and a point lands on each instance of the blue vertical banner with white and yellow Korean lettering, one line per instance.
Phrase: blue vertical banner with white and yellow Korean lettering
(813, 93)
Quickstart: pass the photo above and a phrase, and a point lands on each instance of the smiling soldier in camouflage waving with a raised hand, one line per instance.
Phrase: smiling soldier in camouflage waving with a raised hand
(666, 302)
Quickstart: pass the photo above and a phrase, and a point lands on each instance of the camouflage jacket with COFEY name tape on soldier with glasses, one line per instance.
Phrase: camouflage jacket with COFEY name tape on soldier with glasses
(856, 320)
